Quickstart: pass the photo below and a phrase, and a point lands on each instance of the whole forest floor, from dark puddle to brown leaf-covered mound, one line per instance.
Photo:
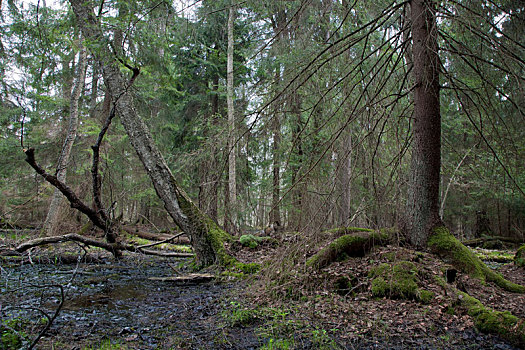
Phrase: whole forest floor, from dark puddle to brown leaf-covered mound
(117, 305)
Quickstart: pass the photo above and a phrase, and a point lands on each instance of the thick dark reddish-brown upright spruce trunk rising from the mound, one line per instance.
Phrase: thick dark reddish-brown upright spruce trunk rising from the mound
(423, 191)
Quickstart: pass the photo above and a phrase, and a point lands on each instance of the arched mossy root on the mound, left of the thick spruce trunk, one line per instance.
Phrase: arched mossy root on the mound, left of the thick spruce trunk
(349, 245)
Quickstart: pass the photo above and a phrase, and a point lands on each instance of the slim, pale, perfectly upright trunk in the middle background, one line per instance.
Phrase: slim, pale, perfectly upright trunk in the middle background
(231, 199)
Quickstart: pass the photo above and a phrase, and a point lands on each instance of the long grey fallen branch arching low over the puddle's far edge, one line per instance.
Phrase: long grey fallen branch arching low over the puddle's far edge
(111, 247)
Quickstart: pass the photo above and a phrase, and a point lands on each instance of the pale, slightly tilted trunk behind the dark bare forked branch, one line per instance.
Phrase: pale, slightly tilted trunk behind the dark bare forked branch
(51, 222)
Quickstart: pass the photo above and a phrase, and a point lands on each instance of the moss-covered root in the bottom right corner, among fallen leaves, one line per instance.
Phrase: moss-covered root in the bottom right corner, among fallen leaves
(488, 320)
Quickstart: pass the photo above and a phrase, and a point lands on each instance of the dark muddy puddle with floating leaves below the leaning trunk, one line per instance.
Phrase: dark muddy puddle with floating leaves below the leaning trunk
(118, 301)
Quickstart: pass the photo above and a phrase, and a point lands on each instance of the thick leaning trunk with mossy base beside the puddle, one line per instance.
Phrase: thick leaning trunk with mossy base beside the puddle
(206, 237)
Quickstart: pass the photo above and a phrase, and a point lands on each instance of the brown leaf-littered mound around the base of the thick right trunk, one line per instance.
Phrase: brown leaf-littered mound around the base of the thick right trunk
(340, 298)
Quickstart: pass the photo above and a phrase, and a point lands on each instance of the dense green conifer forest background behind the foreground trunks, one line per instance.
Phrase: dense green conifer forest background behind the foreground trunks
(322, 106)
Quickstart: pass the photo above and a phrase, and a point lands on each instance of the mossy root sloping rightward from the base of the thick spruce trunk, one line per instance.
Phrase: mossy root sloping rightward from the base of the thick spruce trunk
(444, 244)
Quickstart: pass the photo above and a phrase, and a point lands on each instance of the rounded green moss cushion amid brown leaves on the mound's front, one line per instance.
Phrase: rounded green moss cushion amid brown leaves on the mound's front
(398, 281)
